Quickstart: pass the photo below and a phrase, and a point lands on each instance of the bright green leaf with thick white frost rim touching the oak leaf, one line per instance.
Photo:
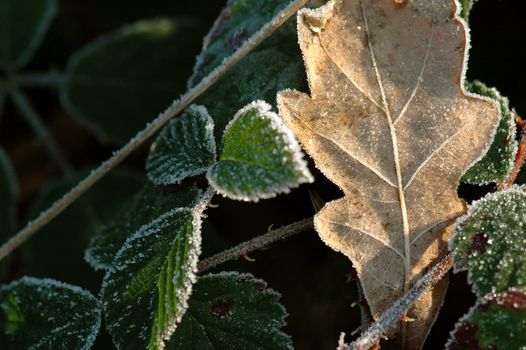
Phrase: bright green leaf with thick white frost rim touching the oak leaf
(260, 156)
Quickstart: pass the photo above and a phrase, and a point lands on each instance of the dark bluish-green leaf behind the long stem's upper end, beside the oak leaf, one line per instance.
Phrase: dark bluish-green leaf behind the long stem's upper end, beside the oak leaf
(253, 77)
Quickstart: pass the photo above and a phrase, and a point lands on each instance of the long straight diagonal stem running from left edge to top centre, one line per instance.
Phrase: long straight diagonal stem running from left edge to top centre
(150, 129)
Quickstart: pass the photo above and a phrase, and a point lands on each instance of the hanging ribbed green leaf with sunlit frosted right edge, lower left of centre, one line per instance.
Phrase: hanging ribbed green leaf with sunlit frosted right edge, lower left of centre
(146, 291)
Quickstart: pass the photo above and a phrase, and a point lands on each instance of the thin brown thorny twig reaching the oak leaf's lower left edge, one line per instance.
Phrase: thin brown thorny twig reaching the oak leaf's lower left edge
(256, 243)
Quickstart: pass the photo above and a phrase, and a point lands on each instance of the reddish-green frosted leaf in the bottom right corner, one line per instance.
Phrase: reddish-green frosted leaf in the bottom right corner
(497, 322)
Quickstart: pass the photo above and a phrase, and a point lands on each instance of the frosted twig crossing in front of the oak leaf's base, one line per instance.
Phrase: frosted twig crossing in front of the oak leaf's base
(371, 336)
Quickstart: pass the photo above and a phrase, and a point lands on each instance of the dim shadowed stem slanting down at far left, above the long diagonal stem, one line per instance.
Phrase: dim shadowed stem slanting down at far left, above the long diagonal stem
(25, 108)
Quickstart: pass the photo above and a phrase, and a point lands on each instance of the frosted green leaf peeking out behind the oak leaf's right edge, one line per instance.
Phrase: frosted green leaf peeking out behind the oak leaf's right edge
(496, 165)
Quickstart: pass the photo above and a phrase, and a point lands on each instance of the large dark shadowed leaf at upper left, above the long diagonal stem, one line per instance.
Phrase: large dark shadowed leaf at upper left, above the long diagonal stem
(120, 82)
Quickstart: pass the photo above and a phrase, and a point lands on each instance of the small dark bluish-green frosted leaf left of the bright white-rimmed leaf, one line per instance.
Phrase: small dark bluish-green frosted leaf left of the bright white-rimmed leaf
(185, 147)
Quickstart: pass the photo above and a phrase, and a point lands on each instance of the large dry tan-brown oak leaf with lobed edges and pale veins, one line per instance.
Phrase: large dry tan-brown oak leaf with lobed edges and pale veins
(389, 122)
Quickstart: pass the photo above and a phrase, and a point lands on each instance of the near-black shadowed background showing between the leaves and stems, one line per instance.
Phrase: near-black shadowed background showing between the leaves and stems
(311, 278)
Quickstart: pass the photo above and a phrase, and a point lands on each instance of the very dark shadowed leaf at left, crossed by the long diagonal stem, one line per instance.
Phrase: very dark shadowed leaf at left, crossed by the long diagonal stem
(58, 249)
